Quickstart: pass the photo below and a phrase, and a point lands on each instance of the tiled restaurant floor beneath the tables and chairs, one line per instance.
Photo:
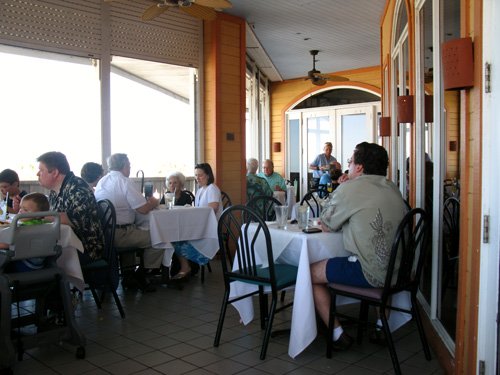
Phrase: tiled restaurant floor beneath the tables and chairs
(171, 332)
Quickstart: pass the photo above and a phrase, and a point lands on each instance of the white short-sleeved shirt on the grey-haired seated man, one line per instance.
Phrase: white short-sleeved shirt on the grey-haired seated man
(122, 192)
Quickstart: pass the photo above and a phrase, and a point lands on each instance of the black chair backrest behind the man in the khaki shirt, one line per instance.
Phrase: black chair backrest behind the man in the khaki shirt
(408, 251)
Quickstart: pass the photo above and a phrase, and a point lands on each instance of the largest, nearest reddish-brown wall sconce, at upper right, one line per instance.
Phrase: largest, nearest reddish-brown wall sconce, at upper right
(458, 64)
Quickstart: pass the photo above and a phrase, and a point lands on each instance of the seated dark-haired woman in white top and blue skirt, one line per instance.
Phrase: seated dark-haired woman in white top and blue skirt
(207, 195)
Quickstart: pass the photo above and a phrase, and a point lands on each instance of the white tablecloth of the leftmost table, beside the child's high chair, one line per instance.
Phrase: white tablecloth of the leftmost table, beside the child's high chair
(68, 261)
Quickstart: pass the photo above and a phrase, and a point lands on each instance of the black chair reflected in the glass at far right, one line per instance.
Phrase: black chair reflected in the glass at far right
(451, 233)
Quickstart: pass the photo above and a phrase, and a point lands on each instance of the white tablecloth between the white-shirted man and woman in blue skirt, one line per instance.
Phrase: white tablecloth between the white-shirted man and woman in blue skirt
(195, 224)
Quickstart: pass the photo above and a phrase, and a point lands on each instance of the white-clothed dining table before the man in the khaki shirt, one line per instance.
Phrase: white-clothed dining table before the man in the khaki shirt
(294, 247)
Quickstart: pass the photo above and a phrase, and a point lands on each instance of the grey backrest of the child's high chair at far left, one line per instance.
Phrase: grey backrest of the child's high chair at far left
(34, 241)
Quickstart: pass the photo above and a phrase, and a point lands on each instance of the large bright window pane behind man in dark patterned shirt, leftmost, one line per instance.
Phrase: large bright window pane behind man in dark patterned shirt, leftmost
(50, 102)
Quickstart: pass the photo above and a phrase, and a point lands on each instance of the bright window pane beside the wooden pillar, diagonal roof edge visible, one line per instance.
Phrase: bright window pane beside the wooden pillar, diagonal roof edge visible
(152, 124)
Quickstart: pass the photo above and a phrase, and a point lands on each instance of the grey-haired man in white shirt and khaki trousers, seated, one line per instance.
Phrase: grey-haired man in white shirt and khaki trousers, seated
(127, 200)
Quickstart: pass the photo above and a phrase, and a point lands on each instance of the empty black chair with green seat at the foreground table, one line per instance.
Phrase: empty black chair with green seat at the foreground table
(238, 229)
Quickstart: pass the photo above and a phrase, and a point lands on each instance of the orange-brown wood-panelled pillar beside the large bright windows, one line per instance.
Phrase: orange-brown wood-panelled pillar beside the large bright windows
(224, 129)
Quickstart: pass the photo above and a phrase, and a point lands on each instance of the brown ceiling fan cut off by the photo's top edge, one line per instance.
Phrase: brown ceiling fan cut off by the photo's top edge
(203, 9)
